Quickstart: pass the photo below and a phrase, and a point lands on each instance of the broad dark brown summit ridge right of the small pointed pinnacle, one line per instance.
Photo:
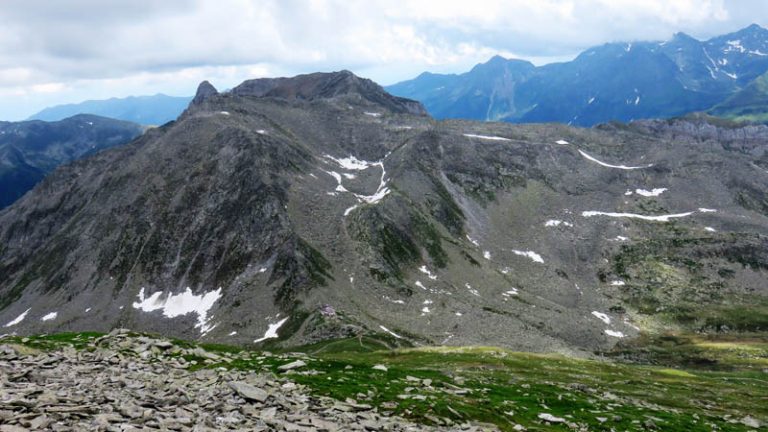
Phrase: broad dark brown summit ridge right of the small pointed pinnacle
(325, 85)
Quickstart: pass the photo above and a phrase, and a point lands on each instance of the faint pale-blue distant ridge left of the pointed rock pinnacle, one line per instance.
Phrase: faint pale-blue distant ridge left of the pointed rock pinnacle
(147, 110)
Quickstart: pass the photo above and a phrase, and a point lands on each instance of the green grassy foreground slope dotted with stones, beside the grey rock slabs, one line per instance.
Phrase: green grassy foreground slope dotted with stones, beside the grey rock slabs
(507, 388)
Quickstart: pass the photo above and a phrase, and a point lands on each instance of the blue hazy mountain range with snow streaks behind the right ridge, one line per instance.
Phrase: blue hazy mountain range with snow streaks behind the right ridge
(615, 81)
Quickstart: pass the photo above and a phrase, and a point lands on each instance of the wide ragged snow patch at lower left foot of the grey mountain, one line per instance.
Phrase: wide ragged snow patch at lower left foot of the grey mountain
(180, 304)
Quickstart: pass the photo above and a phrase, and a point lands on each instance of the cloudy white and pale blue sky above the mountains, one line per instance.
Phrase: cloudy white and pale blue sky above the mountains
(64, 51)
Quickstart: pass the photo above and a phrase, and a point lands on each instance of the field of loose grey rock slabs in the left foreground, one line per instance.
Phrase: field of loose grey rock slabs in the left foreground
(122, 383)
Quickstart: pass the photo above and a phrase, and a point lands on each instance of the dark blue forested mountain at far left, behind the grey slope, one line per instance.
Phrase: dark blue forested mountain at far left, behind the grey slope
(31, 149)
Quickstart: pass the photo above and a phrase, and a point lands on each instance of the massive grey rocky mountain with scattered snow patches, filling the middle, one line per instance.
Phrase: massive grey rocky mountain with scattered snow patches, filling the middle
(319, 205)
